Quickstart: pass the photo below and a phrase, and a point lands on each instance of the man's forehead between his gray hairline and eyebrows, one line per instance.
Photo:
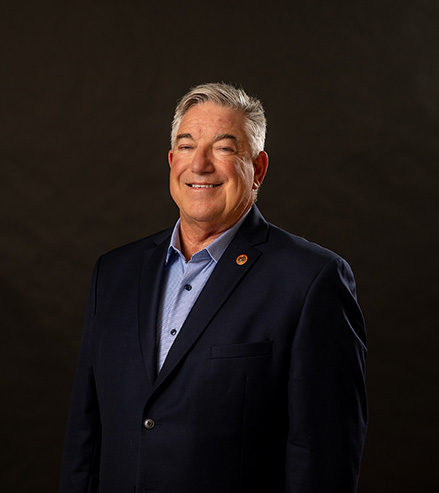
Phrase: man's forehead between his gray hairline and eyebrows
(210, 118)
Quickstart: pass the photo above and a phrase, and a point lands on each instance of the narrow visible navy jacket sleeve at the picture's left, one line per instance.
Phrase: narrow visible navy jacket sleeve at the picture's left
(80, 464)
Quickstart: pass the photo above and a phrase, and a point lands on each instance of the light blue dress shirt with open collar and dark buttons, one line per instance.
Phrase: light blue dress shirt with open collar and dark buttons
(183, 282)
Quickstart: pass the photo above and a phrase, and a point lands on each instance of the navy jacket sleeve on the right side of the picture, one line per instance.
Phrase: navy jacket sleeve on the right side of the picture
(327, 396)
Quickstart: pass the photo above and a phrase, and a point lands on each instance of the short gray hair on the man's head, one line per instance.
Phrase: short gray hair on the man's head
(230, 97)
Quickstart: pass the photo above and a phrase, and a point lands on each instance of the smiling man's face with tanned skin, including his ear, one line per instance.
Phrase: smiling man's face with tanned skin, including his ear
(213, 177)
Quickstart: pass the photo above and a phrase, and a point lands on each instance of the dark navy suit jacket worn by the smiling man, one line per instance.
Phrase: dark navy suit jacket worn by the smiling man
(262, 390)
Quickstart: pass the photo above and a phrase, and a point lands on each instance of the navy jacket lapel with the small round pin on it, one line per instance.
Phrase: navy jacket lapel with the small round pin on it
(223, 280)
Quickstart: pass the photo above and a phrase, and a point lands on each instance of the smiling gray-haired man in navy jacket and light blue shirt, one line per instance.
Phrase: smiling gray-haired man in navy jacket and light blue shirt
(224, 355)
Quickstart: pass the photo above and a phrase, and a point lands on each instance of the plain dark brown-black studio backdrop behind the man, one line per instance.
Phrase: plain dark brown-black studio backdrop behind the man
(351, 95)
